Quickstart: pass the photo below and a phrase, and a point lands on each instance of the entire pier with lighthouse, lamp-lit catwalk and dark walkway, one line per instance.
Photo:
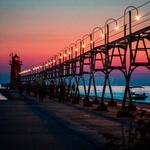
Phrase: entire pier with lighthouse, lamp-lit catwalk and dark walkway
(49, 106)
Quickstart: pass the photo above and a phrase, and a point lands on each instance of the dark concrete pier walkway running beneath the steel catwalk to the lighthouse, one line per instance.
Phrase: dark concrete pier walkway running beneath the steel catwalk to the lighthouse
(28, 124)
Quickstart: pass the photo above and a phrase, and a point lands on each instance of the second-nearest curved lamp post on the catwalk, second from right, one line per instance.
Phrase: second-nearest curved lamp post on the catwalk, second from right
(107, 28)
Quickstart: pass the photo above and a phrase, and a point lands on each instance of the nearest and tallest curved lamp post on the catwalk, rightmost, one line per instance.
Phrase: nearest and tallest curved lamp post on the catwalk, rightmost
(130, 8)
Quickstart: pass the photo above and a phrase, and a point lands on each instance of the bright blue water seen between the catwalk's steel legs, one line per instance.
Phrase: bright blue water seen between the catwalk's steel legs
(118, 92)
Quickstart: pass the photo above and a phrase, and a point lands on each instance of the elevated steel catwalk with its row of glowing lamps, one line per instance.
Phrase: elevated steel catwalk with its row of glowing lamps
(115, 46)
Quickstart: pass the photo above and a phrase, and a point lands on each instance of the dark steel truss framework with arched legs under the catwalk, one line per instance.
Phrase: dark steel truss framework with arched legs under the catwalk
(138, 42)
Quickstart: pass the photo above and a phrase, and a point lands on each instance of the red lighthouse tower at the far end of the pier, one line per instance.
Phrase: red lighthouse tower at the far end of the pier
(15, 64)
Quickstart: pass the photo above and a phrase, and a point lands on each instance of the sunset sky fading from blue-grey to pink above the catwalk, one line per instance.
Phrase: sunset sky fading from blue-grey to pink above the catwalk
(38, 29)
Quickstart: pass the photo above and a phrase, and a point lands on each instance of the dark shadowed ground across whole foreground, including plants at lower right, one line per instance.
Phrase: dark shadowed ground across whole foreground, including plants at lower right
(27, 124)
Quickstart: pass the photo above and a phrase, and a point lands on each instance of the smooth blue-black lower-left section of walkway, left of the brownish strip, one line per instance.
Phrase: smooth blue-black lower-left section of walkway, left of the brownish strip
(27, 125)
